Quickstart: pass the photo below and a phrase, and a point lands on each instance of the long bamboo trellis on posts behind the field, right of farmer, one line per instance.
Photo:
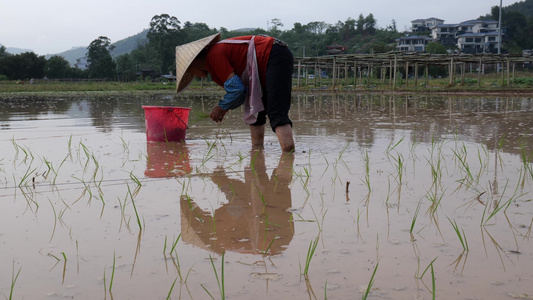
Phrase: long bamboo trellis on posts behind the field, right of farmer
(390, 63)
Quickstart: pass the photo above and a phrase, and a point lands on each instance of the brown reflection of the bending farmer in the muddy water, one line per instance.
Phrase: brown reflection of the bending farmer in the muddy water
(255, 219)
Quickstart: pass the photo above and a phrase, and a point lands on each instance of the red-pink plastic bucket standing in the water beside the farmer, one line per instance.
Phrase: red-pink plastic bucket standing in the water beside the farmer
(165, 123)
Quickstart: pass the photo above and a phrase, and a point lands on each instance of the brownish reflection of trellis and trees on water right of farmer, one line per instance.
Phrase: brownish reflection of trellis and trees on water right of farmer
(425, 117)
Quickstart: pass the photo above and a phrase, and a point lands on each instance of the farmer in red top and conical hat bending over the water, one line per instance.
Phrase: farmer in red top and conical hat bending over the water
(254, 70)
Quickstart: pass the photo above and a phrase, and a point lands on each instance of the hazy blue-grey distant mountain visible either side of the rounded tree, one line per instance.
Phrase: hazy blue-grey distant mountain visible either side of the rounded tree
(121, 47)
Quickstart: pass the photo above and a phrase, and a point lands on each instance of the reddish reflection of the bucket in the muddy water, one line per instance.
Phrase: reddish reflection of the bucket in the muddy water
(167, 159)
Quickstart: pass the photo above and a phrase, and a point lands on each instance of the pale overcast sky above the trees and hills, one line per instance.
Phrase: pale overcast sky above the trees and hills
(54, 26)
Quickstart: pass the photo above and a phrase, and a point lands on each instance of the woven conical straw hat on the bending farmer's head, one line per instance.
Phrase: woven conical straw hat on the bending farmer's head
(185, 54)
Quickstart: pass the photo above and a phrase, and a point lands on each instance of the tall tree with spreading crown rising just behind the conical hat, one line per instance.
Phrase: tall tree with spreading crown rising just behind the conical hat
(164, 35)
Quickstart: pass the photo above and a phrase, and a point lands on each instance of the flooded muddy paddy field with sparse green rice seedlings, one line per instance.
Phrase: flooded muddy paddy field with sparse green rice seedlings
(385, 197)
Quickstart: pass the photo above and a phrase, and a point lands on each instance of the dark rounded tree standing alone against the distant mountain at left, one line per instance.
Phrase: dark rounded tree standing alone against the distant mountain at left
(101, 64)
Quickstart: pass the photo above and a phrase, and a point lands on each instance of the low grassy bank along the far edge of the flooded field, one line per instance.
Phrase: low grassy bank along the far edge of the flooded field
(521, 82)
